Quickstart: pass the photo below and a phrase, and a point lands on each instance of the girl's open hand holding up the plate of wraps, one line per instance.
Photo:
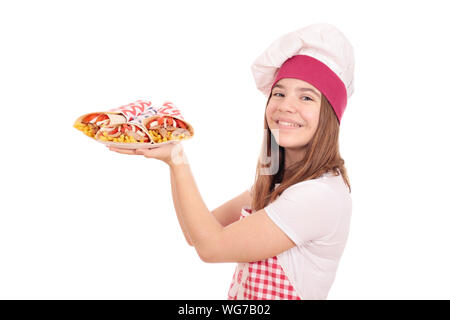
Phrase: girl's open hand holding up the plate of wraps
(170, 153)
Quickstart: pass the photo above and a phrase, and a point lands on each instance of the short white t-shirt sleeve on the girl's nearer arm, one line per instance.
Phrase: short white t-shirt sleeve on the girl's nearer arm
(306, 212)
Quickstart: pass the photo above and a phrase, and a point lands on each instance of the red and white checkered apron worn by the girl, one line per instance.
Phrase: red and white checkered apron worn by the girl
(260, 280)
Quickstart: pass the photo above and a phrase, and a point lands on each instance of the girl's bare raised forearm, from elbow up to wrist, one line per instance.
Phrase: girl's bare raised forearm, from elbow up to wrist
(200, 224)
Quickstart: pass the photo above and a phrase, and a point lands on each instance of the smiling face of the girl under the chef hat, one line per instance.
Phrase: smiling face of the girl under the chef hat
(293, 112)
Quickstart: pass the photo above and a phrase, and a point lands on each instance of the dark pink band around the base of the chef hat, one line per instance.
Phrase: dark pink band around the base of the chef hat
(319, 75)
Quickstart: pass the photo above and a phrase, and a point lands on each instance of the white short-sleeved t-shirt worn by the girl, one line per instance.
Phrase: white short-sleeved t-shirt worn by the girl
(315, 214)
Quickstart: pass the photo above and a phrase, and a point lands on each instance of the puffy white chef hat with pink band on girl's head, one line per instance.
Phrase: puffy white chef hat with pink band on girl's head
(318, 54)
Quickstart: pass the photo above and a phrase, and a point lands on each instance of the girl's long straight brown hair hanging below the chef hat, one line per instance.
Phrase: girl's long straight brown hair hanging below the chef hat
(322, 155)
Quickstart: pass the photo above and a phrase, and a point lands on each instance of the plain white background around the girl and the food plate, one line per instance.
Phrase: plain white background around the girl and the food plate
(81, 222)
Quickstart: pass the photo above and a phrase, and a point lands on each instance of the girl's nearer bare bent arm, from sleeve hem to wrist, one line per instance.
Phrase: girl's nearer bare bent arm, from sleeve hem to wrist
(251, 239)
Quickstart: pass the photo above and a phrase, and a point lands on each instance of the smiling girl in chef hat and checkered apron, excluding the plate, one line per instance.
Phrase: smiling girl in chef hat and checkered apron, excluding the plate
(287, 232)
